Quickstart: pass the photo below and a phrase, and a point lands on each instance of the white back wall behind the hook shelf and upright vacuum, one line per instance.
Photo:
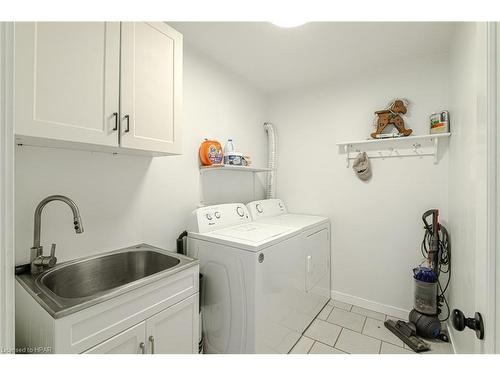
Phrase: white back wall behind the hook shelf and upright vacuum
(377, 227)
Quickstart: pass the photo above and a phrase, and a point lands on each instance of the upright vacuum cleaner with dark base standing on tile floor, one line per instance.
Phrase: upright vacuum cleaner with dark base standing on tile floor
(429, 294)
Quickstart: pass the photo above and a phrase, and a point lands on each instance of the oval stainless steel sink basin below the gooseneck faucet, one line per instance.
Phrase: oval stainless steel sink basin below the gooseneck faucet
(93, 276)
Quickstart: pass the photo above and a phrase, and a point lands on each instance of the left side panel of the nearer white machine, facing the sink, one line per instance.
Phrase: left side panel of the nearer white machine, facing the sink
(226, 296)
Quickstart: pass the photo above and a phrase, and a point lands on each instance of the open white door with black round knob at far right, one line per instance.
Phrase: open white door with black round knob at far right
(467, 185)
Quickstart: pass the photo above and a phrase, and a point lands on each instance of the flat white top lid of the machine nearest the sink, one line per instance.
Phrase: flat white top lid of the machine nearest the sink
(250, 236)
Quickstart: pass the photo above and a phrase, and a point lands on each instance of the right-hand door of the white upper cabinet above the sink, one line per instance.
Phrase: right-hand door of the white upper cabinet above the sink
(151, 87)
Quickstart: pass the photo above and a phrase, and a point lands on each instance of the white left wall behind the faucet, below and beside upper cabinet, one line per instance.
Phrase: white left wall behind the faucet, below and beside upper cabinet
(125, 200)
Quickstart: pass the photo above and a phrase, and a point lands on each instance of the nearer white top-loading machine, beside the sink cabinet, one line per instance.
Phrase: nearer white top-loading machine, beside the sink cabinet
(254, 300)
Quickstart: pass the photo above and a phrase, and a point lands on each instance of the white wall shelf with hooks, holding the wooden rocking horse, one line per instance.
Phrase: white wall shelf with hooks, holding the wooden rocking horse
(416, 145)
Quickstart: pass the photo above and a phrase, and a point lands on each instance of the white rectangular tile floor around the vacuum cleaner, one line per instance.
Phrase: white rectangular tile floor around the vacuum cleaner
(341, 328)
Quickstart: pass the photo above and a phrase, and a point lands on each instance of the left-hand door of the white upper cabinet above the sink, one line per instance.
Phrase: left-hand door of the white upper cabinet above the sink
(67, 81)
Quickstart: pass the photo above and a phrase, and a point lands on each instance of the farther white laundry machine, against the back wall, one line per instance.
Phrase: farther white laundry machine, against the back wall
(315, 234)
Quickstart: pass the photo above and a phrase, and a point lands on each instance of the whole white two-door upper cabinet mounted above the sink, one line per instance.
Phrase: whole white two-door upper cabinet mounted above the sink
(102, 86)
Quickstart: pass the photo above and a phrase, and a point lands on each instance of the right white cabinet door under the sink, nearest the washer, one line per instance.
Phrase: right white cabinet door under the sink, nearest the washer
(174, 330)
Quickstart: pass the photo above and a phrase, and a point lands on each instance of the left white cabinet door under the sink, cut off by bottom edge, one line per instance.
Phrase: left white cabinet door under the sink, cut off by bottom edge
(130, 341)
